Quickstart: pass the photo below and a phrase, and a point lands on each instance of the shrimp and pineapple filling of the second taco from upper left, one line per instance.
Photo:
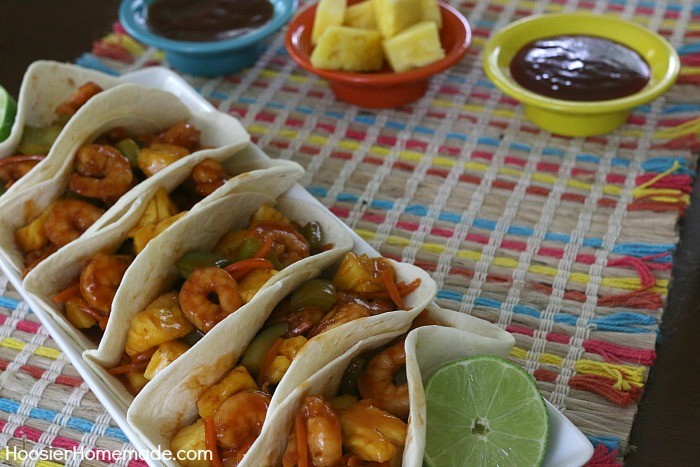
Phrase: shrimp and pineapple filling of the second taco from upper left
(102, 172)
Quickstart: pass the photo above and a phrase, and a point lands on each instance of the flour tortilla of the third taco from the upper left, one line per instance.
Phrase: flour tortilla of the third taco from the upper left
(254, 172)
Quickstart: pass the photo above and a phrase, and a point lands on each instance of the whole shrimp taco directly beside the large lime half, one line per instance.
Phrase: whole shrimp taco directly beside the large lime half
(372, 418)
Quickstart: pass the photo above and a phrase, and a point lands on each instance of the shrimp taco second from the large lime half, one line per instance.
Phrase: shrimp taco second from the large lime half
(195, 387)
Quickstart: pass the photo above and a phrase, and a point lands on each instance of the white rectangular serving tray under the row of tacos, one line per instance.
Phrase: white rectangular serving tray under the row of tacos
(567, 446)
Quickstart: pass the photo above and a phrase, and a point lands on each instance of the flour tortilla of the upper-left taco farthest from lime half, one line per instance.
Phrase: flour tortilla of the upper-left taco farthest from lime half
(45, 85)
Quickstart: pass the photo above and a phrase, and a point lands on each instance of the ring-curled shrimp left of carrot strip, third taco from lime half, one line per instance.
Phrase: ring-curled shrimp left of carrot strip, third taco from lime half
(198, 303)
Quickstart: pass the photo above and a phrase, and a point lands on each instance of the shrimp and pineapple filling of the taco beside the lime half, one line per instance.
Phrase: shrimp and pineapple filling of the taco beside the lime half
(371, 408)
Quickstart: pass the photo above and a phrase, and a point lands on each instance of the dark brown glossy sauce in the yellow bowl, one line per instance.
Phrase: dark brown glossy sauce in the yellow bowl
(579, 68)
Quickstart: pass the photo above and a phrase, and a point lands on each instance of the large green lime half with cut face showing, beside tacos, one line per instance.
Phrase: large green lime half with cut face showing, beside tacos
(484, 411)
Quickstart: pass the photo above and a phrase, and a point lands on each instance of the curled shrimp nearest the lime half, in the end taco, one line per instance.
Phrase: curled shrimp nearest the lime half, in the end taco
(376, 381)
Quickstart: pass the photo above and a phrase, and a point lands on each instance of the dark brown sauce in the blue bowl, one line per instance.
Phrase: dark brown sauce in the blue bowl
(207, 20)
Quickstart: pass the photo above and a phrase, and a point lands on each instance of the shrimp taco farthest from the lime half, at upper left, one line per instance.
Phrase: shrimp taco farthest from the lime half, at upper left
(50, 94)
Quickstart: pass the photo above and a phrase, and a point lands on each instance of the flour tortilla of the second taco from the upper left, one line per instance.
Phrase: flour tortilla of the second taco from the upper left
(135, 107)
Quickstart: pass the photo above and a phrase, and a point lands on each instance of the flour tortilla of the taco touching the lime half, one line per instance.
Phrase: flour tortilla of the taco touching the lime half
(427, 347)
